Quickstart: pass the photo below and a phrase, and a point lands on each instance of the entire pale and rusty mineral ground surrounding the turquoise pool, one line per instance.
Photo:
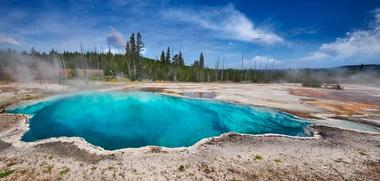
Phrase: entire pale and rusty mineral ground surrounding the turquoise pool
(348, 151)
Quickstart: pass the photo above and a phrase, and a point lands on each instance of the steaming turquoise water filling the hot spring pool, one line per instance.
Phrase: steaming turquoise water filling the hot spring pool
(116, 120)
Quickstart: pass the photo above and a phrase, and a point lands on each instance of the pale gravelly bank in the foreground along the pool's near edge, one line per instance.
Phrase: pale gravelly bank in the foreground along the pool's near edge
(336, 154)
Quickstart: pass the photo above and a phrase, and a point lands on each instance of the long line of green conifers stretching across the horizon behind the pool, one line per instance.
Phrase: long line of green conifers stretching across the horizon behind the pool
(134, 66)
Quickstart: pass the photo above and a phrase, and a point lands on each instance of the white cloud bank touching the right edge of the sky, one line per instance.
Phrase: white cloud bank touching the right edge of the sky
(359, 43)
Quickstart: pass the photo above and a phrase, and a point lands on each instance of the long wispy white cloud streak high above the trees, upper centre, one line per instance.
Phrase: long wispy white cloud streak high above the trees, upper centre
(227, 21)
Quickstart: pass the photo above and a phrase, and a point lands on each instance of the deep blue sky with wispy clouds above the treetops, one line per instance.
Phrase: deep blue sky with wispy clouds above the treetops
(292, 33)
